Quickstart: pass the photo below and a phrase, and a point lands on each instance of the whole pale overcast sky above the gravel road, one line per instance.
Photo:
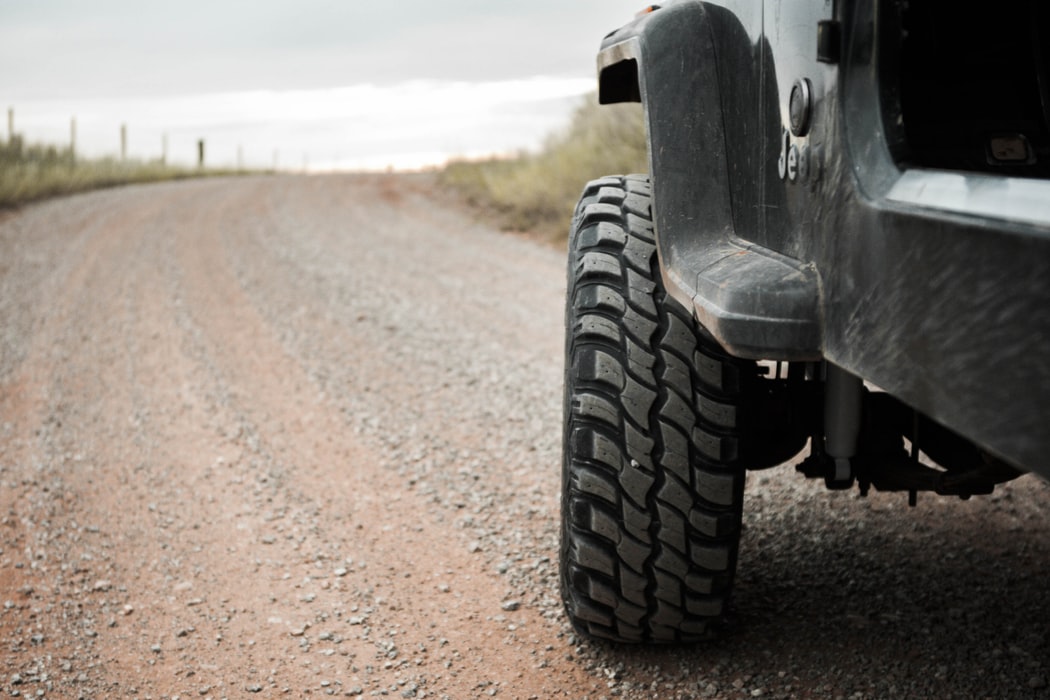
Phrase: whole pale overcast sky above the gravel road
(218, 68)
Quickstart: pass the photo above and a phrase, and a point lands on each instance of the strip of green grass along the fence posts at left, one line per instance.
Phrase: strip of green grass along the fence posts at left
(33, 173)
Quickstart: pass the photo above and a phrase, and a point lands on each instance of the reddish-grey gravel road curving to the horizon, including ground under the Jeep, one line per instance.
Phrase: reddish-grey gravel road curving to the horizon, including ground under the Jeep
(287, 437)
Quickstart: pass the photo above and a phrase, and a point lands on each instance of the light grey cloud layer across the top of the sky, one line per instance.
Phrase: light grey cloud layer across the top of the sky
(118, 48)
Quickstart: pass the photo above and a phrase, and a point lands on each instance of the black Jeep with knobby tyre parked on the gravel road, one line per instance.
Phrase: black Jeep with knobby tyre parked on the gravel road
(841, 259)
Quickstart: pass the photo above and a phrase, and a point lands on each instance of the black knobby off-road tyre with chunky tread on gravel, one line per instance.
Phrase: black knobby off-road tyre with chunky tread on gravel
(653, 474)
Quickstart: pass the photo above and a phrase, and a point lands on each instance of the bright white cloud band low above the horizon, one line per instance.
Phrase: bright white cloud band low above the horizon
(409, 124)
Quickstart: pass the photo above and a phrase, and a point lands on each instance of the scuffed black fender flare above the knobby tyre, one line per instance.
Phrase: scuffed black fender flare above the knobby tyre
(758, 304)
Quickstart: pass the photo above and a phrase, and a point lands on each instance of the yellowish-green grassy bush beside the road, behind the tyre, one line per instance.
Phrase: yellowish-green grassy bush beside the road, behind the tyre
(537, 193)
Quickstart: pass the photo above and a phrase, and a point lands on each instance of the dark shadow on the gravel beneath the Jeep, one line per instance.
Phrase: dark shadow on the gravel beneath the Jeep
(838, 597)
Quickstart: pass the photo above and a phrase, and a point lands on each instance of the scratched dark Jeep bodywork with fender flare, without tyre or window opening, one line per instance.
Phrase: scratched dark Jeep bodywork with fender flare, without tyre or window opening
(934, 286)
